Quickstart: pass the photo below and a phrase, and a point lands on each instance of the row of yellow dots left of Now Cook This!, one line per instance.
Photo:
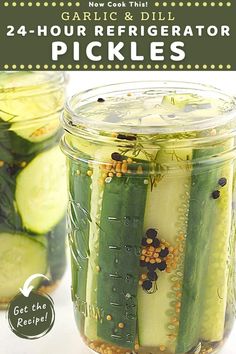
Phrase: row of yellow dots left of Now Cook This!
(40, 3)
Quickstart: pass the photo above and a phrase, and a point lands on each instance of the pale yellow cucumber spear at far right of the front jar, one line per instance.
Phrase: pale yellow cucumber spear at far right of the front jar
(217, 274)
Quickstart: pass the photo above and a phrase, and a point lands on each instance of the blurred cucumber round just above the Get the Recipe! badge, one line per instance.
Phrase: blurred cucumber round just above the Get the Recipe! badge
(21, 256)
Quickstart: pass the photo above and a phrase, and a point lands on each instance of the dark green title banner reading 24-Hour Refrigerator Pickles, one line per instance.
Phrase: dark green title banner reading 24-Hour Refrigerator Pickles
(117, 35)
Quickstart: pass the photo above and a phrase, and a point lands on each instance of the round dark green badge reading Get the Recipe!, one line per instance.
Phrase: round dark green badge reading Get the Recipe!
(31, 317)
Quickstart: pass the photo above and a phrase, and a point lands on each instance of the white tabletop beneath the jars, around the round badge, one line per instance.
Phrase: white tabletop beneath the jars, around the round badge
(63, 338)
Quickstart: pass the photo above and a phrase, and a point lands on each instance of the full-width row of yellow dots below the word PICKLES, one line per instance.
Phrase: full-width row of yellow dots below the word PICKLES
(117, 67)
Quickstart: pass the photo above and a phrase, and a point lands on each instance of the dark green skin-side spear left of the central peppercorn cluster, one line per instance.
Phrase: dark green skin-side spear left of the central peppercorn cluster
(121, 226)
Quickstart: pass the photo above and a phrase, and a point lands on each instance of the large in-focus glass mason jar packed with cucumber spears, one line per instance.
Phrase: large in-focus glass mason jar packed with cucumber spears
(152, 216)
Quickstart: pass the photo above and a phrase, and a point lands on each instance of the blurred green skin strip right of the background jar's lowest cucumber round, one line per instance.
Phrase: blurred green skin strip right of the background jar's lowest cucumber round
(56, 250)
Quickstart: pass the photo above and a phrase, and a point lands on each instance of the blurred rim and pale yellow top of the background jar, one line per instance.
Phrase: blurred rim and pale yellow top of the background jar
(28, 92)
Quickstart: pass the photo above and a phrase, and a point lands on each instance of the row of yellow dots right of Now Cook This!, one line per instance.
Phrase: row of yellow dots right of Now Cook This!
(194, 4)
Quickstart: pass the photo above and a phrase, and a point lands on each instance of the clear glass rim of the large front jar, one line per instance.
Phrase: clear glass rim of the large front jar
(83, 124)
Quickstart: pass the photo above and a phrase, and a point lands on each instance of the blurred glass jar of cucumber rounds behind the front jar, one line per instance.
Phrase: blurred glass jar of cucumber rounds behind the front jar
(33, 195)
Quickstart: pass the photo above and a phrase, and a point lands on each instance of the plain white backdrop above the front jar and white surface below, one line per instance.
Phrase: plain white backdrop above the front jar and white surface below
(64, 338)
